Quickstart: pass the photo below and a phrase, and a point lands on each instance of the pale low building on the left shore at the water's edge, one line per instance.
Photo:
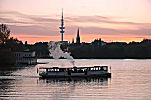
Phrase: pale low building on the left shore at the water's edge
(26, 57)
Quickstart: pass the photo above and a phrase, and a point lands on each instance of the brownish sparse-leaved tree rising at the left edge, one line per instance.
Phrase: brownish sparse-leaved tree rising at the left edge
(4, 33)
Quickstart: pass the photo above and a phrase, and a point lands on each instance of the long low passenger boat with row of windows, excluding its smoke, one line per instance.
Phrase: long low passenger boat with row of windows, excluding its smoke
(75, 72)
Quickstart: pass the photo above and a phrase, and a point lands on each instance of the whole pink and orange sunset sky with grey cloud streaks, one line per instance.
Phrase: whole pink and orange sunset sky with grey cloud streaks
(111, 20)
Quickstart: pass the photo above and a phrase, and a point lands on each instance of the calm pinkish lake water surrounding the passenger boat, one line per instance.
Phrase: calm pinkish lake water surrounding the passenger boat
(131, 80)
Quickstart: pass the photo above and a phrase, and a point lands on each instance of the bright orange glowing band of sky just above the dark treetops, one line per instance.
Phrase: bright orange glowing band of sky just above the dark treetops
(84, 38)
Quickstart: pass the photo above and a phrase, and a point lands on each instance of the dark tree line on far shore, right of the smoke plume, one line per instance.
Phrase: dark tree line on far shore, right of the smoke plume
(115, 50)
